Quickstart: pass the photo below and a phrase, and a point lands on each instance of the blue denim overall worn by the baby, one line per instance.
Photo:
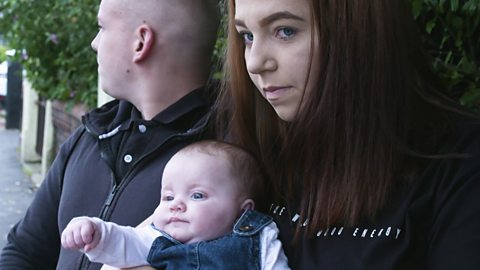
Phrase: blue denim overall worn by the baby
(239, 250)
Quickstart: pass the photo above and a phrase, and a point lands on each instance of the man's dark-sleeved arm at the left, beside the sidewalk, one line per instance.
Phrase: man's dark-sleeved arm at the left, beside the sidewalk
(34, 242)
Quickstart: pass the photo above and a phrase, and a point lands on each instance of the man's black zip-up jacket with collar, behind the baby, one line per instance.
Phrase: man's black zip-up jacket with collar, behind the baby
(84, 181)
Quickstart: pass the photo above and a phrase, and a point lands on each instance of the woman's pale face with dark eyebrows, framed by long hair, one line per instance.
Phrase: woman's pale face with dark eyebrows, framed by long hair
(277, 36)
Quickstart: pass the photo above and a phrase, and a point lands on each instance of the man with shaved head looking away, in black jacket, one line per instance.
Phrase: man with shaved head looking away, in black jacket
(153, 56)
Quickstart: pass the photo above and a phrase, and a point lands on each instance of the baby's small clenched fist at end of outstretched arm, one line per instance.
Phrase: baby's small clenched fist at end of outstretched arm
(80, 233)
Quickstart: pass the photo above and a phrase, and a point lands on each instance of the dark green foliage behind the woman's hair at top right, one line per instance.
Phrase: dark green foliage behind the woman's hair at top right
(451, 33)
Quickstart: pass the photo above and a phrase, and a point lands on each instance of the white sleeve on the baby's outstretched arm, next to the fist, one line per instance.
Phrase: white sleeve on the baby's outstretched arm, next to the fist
(122, 246)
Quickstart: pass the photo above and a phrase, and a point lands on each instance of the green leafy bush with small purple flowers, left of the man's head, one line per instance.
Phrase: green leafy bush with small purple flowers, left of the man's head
(52, 40)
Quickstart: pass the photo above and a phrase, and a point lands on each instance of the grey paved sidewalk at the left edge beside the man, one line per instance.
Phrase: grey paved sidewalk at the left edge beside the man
(16, 189)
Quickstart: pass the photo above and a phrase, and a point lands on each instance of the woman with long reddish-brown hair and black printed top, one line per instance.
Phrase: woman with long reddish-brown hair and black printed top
(371, 167)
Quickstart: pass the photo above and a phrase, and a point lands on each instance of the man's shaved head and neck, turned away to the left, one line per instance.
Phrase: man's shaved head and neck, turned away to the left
(148, 45)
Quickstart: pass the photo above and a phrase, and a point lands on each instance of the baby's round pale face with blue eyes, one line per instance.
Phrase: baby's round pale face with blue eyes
(199, 198)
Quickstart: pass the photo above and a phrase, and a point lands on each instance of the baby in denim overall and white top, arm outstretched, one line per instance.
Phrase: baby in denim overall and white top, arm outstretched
(205, 219)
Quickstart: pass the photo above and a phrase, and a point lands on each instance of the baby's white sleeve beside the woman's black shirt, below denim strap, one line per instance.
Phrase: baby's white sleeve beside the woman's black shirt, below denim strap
(272, 254)
